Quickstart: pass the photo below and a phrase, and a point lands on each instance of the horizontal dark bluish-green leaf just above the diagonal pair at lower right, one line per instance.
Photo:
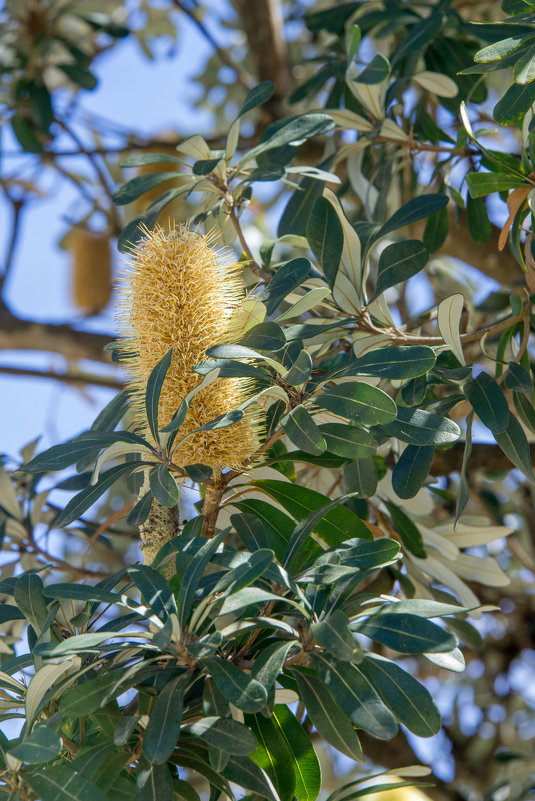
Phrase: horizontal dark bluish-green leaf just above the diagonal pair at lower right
(408, 634)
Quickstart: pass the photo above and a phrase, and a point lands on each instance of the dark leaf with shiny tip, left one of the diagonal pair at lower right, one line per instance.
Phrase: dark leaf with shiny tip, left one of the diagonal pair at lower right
(355, 695)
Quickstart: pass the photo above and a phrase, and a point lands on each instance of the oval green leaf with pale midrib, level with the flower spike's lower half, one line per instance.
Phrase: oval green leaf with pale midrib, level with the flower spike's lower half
(358, 401)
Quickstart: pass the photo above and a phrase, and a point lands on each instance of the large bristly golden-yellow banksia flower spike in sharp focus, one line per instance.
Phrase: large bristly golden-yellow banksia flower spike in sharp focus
(177, 295)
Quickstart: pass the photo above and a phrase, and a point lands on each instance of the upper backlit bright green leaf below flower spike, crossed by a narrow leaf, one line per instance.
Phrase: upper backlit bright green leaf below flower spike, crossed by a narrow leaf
(333, 527)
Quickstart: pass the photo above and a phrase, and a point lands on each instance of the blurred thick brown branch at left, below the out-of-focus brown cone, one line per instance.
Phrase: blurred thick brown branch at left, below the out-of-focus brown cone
(19, 334)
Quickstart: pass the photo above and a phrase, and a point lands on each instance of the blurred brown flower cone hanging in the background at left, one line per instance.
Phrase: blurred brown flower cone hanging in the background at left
(91, 270)
